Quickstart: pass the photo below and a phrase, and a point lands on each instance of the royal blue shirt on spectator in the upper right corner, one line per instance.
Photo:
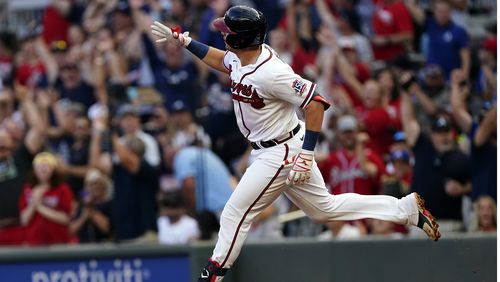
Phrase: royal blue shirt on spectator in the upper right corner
(445, 43)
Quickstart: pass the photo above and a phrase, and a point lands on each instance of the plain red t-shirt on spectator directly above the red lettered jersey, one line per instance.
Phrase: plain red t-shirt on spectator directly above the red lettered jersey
(380, 126)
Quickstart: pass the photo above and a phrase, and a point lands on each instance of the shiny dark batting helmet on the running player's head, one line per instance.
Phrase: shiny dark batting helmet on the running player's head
(244, 26)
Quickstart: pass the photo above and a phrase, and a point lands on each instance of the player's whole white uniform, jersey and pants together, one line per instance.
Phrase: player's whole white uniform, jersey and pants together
(266, 95)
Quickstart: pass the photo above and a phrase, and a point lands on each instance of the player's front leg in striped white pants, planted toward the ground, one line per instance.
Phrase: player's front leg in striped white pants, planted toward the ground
(261, 184)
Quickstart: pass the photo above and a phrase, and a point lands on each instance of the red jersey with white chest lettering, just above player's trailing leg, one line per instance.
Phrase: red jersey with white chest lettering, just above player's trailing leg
(342, 173)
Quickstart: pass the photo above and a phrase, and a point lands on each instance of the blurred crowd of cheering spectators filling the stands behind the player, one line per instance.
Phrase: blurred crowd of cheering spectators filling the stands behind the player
(106, 136)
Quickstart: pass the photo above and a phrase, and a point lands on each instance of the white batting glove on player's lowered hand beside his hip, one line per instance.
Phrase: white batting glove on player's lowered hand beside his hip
(301, 168)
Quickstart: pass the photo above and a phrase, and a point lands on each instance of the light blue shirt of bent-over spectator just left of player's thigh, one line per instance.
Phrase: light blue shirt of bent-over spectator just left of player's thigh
(212, 177)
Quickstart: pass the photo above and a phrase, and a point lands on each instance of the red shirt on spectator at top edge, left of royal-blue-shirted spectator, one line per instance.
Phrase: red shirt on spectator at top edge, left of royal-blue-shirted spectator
(393, 18)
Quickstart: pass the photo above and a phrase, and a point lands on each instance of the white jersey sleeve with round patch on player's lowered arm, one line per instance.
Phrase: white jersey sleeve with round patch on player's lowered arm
(292, 88)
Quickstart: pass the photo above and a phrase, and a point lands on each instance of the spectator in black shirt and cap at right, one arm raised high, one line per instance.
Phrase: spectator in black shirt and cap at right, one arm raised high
(441, 172)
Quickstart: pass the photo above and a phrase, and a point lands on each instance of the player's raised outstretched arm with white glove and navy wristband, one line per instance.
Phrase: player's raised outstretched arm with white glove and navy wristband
(209, 55)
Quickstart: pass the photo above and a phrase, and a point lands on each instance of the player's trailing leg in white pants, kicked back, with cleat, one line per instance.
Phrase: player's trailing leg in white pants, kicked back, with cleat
(315, 200)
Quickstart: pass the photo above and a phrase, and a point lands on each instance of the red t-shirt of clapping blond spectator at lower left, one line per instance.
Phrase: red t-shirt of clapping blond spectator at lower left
(43, 231)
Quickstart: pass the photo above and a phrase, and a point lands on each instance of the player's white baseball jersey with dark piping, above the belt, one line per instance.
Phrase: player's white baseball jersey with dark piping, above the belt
(259, 91)
